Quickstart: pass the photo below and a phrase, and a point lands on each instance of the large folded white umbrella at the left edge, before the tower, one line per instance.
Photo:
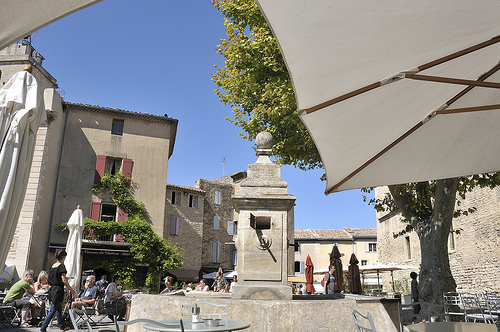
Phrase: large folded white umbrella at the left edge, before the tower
(21, 112)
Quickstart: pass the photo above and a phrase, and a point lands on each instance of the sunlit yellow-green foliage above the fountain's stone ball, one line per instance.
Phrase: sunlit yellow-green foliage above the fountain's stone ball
(255, 82)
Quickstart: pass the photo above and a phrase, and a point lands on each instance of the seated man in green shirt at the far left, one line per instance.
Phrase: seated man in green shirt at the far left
(16, 293)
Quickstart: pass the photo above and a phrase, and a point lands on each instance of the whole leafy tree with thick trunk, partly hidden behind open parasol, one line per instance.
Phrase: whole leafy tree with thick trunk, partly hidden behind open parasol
(254, 81)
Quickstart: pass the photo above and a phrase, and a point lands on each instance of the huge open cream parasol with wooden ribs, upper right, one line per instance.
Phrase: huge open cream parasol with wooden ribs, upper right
(394, 91)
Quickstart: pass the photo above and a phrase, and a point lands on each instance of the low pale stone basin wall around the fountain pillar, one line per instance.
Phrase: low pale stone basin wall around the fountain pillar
(275, 316)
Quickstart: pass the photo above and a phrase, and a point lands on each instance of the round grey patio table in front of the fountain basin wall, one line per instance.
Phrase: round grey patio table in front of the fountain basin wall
(174, 326)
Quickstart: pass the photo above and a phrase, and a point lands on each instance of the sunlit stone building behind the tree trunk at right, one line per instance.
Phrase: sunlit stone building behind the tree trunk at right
(474, 252)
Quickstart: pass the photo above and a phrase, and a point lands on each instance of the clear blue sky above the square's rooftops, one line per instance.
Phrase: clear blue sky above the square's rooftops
(157, 57)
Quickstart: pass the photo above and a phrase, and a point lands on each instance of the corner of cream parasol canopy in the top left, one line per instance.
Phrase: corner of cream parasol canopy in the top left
(19, 18)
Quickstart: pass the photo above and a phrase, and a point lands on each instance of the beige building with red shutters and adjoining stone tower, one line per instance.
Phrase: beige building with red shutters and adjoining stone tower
(77, 145)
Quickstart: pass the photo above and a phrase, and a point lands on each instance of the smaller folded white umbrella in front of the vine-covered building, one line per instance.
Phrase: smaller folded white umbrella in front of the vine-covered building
(73, 248)
